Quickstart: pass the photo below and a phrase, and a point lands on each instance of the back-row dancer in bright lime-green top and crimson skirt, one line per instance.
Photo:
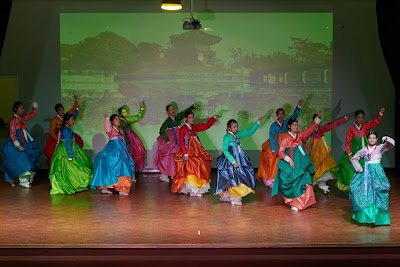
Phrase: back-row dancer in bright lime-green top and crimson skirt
(133, 143)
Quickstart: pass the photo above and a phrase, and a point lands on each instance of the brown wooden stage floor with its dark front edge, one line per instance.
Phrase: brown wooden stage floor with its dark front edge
(152, 225)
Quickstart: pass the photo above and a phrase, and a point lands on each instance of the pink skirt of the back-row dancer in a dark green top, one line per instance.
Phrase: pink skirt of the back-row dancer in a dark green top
(164, 158)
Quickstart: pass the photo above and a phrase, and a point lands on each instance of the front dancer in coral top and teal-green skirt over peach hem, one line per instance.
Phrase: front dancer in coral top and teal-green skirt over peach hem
(295, 169)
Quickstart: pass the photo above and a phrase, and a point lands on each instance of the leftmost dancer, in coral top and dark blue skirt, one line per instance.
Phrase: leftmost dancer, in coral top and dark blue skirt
(20, 152)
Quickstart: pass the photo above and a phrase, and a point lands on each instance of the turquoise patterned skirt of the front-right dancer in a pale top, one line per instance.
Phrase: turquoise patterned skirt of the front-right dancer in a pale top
(369, 194)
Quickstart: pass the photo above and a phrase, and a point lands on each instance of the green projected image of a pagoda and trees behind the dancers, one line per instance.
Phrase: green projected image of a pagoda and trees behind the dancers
(239, 66)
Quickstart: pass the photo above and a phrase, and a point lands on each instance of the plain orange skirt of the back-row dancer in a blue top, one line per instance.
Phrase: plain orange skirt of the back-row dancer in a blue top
(267, 168)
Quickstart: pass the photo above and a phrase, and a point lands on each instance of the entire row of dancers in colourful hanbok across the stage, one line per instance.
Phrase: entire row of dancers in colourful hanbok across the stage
(291, 161)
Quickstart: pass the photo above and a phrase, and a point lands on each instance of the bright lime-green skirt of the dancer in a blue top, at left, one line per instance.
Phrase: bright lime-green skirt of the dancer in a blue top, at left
(68, 177)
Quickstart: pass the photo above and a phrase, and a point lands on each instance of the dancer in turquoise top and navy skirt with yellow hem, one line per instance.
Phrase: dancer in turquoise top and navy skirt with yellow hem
(235, 176)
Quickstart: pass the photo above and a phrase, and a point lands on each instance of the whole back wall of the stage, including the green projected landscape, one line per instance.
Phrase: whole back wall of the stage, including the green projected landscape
(246, 62)
